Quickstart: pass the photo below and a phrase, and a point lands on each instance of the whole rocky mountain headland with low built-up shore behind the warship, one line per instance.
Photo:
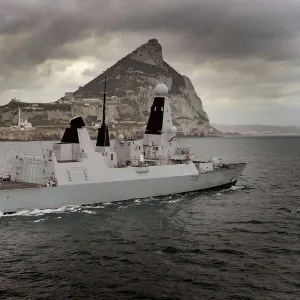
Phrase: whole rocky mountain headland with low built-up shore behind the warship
(130, 89)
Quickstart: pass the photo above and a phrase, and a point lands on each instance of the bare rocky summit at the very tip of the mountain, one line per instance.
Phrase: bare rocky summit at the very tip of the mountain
(149, 53)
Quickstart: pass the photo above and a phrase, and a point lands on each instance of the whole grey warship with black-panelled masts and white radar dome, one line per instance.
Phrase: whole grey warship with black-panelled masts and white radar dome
(78, 172)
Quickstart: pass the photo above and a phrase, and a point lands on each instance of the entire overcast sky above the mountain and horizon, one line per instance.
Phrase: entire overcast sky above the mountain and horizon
(243, 56)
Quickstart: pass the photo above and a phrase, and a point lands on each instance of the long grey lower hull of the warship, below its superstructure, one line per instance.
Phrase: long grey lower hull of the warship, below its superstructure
(14, 199)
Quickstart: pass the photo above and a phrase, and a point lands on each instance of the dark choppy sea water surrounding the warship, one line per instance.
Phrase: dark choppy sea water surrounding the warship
(240, 243)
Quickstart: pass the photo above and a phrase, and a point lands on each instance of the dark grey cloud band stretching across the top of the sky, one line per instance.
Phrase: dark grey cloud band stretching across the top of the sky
(227, 28)
